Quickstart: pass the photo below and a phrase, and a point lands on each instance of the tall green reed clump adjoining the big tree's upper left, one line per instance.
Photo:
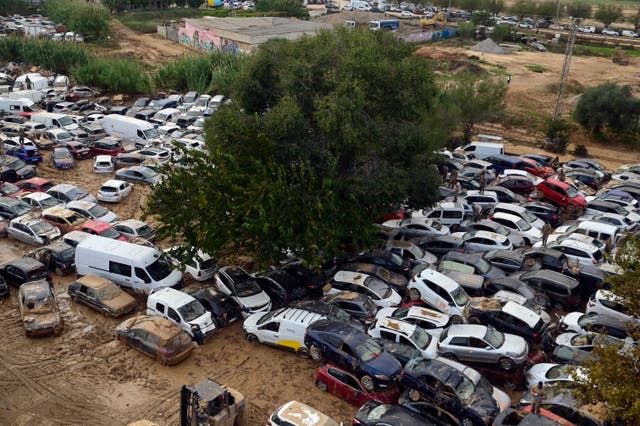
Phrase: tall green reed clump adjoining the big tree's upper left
(204, 73)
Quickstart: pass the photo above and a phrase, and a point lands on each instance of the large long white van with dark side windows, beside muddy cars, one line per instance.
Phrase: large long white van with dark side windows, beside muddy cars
(138, 267)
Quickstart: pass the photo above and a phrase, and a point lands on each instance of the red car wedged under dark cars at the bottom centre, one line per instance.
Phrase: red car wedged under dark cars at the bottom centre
(347, 386)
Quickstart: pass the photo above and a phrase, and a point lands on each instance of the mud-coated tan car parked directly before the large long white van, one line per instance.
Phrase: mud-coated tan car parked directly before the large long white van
(101, 295)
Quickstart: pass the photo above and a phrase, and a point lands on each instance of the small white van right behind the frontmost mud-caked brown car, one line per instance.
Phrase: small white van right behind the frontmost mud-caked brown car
(183, 310)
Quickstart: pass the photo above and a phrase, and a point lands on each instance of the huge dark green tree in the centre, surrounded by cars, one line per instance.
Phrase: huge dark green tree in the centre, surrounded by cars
(325, 134)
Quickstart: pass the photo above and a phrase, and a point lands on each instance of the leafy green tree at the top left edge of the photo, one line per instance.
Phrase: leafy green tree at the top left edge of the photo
(88, 19)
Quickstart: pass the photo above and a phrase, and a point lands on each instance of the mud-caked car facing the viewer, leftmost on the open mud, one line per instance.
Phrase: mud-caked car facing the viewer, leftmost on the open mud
(39, 310)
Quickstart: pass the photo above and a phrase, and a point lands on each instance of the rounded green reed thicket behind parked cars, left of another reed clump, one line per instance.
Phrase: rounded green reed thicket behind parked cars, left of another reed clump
(114, 75)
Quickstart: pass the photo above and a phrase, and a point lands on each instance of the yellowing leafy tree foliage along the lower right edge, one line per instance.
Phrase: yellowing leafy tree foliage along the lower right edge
(614, 374)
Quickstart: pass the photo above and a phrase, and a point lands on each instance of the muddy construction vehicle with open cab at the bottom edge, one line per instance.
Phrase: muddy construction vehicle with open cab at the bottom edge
(210, 404)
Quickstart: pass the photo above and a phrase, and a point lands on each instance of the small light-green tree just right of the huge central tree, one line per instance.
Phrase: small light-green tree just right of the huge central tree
(477, 100)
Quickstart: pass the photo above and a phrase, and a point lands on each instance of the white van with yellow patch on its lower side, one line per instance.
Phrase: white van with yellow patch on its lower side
(284, 328)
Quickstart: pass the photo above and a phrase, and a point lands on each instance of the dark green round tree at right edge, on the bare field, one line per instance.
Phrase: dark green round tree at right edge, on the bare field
(609, 107)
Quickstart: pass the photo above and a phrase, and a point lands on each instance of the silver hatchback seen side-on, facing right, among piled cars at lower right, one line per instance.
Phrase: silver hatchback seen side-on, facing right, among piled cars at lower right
(483, 344)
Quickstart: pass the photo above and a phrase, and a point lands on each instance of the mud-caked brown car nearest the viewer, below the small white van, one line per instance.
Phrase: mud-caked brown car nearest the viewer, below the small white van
(156, 337)
